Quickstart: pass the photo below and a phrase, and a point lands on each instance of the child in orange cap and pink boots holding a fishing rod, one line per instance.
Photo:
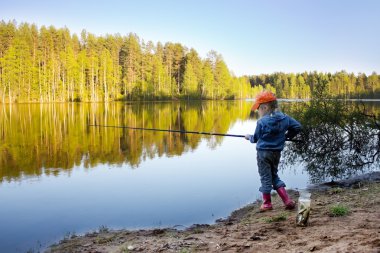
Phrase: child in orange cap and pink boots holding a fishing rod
(272, 129)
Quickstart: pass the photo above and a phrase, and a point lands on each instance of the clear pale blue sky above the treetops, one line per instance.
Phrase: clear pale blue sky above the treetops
(253, 36)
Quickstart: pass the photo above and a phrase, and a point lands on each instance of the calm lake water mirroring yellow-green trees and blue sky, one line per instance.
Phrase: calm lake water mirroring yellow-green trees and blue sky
(58, 176)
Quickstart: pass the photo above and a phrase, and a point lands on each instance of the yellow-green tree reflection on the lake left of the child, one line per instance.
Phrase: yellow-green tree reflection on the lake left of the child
(50, 138)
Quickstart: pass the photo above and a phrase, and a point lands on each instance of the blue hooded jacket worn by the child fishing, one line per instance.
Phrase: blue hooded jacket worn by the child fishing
(273, 129)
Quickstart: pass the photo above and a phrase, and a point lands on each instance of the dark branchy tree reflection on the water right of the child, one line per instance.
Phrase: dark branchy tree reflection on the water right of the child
(339, 138)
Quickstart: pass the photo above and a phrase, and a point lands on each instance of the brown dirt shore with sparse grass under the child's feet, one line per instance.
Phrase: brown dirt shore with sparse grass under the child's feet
(248, 230)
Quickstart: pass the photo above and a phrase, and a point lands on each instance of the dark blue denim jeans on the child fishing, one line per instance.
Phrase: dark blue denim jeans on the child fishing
(267, 162)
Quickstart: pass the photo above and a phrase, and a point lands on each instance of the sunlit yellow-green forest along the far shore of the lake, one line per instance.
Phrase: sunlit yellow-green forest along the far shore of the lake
(47, 64)
